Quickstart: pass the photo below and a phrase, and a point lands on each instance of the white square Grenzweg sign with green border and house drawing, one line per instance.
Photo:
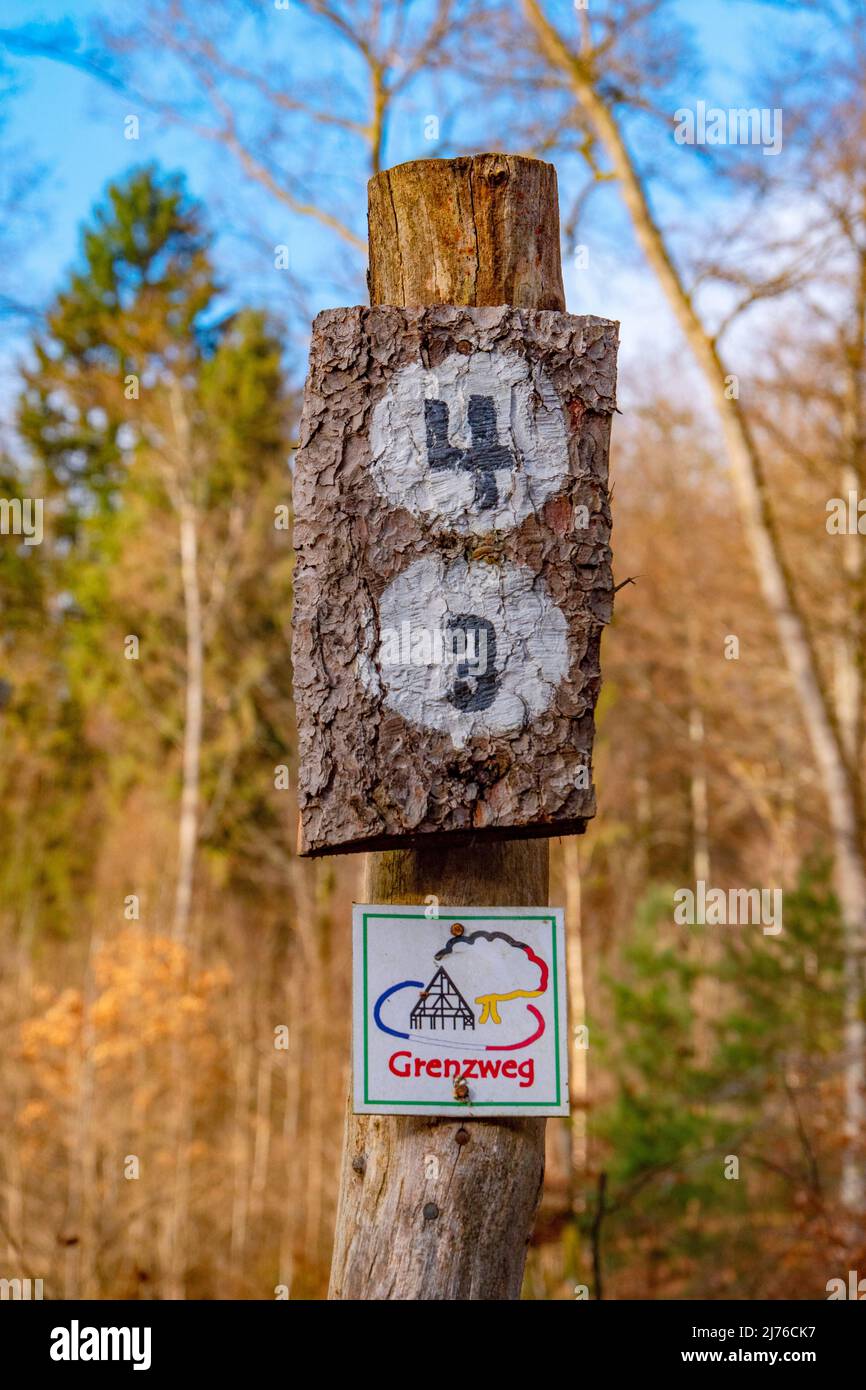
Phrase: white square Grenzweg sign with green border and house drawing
(464, 1014)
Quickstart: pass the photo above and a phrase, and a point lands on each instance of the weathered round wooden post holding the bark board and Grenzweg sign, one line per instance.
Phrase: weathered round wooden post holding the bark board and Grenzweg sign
(436, 1209)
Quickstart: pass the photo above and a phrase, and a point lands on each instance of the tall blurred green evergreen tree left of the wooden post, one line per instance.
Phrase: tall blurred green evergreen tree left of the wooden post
(159, 429)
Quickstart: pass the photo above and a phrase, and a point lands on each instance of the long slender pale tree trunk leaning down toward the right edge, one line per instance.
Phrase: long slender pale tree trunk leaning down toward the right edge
(840, 776)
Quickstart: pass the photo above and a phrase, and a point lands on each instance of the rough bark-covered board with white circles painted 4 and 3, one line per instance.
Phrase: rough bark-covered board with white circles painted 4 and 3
(454, 573)
